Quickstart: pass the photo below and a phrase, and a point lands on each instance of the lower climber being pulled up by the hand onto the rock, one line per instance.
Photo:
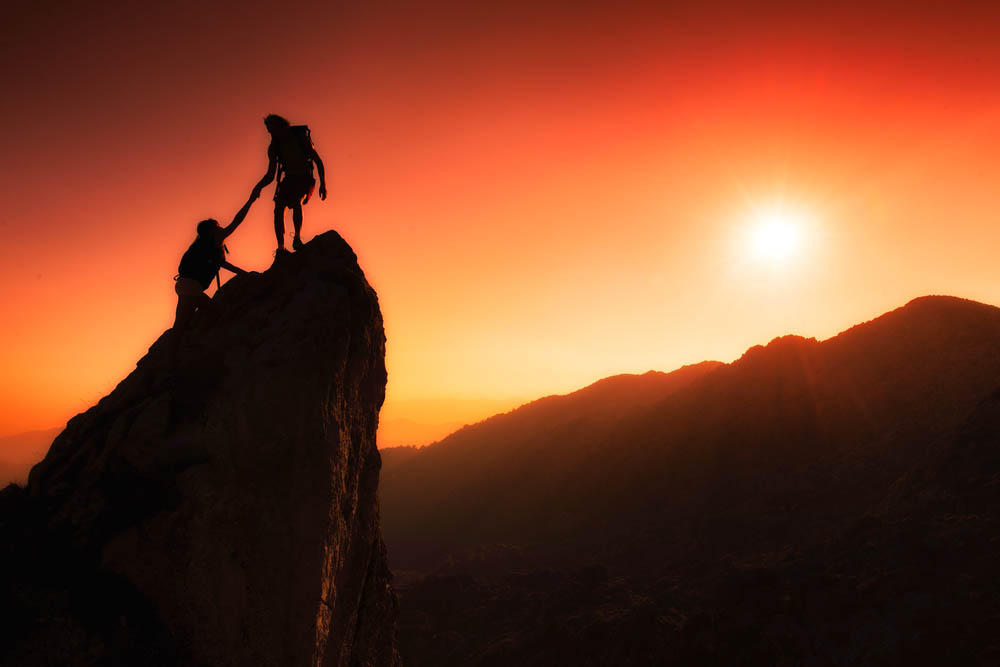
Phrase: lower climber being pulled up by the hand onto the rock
(201, 263)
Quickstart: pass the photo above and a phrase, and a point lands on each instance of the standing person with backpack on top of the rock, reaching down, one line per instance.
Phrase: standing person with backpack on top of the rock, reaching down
(291, 156)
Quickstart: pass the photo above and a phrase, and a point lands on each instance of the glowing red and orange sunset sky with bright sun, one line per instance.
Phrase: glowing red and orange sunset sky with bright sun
(541, 194)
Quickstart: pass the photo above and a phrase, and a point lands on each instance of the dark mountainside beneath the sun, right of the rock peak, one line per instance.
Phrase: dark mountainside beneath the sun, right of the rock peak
(811, 503)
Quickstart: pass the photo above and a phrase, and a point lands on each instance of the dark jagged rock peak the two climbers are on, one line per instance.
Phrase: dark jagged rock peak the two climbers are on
(226, 502)
